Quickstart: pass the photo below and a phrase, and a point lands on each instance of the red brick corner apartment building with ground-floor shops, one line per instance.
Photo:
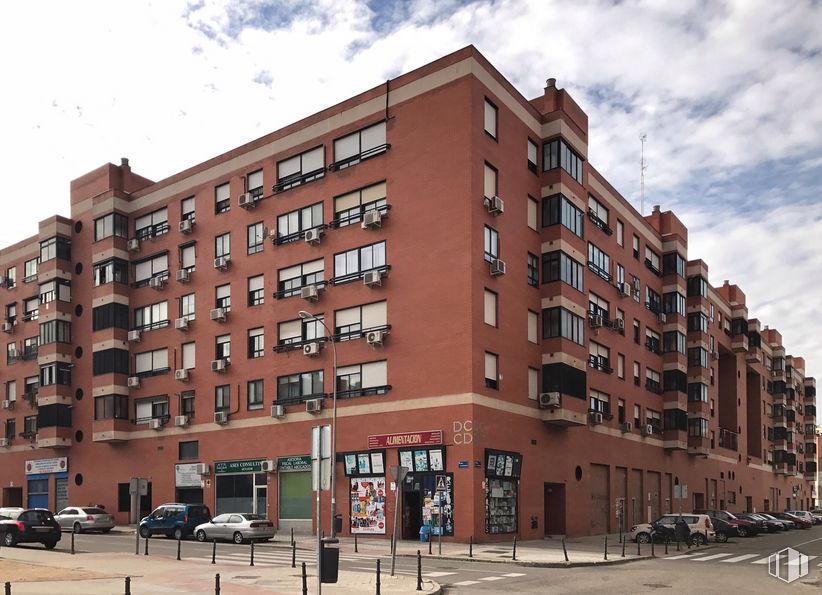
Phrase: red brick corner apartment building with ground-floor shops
(502, 317)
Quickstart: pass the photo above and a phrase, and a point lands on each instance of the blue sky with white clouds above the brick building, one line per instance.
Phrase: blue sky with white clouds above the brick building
(729, 94)
